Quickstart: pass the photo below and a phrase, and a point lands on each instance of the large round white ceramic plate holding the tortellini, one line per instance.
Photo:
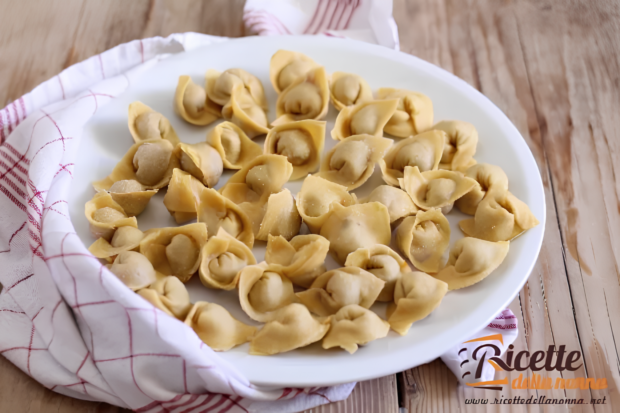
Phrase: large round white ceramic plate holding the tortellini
(462, 312)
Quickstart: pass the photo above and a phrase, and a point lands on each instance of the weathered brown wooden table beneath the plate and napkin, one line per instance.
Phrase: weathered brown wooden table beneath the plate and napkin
(552, 66)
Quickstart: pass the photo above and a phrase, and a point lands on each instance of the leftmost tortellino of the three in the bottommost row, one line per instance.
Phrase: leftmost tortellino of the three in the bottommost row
(217, 328)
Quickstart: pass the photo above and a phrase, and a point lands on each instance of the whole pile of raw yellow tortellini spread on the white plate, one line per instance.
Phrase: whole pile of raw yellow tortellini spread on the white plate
(429, 170)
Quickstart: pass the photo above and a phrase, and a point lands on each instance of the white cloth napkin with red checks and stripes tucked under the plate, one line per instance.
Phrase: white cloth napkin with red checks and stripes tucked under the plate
(71, 324)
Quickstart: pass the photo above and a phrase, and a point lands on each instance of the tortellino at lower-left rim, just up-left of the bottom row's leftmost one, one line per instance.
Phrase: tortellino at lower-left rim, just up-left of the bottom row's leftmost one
(169, 295)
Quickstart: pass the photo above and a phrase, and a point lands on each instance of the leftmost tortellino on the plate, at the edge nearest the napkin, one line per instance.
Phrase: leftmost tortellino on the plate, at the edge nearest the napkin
(104, 215)
